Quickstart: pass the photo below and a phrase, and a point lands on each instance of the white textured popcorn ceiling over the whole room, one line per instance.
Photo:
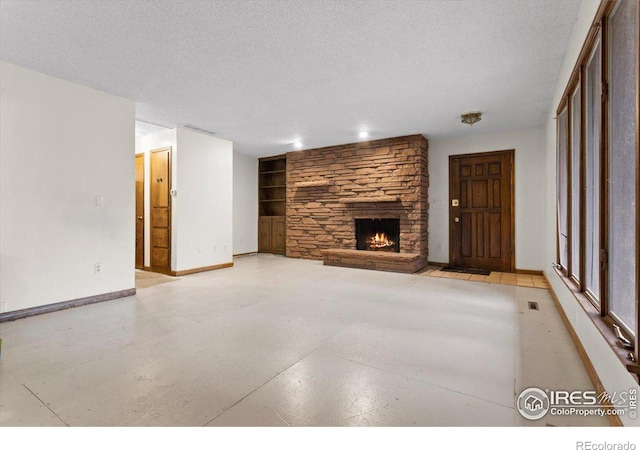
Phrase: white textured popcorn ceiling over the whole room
(269, 72)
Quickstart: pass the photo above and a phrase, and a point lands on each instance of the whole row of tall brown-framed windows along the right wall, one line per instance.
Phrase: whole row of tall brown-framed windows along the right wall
(598, 179)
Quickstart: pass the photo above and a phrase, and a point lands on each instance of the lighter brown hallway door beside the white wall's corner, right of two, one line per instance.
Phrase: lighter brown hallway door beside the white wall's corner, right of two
(161, 210)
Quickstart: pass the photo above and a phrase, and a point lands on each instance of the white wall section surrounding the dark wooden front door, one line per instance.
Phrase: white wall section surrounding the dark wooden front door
(529, 195)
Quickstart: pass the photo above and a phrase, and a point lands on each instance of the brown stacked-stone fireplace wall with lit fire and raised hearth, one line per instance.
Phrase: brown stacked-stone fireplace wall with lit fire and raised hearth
(381, 185)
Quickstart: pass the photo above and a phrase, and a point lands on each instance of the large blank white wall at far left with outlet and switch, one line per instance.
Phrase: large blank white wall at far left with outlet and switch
(61, 145)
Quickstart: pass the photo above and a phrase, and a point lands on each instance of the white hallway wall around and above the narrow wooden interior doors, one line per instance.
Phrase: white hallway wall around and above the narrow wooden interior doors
(145, 144)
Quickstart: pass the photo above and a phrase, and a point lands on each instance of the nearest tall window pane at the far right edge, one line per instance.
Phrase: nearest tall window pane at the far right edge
(623, 48)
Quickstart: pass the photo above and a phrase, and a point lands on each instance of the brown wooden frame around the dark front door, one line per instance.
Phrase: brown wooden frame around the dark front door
(511, 154)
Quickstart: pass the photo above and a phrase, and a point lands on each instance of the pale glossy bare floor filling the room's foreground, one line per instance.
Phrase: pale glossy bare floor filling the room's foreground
(278, 341)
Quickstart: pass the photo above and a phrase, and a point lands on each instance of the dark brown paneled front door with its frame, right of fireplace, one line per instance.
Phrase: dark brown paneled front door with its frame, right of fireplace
(481, 211)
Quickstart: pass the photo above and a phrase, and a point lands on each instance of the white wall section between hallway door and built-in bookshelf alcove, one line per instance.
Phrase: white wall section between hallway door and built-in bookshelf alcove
(203, 206)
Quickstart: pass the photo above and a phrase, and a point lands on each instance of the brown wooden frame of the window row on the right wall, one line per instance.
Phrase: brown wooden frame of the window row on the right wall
(597, 308)
